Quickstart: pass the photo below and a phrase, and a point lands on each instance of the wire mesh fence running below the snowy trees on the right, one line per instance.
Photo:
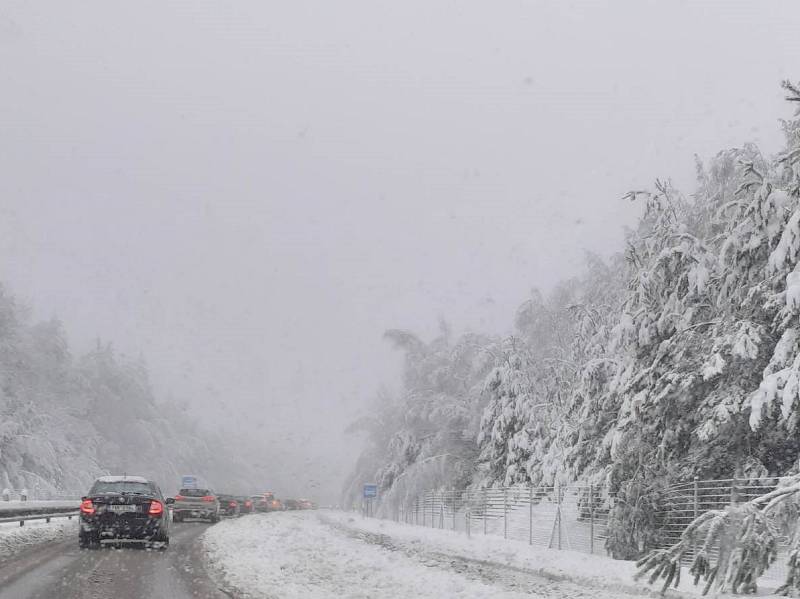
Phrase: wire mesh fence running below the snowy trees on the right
(575, 517)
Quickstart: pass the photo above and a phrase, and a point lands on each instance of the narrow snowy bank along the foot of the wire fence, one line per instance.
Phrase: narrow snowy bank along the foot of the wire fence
(593, 571)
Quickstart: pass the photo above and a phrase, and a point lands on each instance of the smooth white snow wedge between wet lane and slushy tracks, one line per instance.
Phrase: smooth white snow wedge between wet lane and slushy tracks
(297, 556)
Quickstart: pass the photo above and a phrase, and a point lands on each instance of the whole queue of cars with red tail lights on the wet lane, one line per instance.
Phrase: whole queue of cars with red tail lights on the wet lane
(132, 509)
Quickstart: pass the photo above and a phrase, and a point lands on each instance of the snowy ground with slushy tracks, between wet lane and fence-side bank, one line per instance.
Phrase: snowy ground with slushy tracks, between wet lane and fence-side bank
(318, 555)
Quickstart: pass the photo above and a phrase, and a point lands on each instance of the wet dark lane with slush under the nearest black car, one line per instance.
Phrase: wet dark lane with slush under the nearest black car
(63, 571)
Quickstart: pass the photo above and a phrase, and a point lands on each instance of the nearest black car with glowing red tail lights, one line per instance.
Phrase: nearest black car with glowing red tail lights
(124, 509)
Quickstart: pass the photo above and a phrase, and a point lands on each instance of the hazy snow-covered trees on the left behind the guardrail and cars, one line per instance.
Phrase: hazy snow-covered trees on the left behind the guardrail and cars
(66, 419)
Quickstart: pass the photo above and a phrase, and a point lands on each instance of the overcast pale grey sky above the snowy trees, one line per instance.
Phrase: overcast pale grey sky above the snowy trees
(249, 193)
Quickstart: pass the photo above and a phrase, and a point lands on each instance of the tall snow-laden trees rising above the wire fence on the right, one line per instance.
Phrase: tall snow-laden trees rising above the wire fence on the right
(677, 357)
